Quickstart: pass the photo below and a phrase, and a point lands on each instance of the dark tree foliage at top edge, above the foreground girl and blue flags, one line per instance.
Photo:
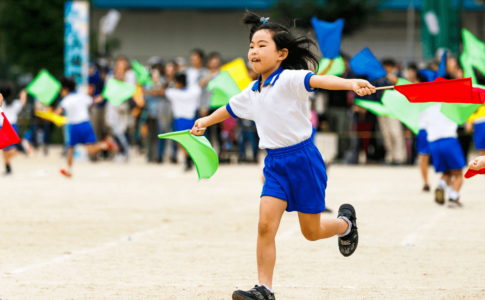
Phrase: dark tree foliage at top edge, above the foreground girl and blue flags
(355, 12)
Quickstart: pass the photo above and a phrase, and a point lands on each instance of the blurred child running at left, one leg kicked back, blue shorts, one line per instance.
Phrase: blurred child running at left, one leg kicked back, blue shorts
(76, 107)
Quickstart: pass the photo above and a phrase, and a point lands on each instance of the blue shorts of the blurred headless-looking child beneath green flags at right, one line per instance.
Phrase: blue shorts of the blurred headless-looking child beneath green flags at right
(447, 155)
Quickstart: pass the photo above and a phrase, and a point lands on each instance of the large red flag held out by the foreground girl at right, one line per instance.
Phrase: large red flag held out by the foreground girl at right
(441, 90)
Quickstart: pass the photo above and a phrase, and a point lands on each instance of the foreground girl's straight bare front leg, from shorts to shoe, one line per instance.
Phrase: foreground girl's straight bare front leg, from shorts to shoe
(270, 212)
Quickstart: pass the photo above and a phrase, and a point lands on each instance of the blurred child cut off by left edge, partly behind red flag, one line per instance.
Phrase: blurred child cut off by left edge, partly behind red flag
(11, 109)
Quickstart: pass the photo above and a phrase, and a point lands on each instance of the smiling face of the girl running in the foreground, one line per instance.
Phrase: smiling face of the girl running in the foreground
(263, 54)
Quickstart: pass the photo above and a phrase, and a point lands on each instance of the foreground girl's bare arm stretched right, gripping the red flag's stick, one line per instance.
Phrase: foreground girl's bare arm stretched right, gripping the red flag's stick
(330, 82)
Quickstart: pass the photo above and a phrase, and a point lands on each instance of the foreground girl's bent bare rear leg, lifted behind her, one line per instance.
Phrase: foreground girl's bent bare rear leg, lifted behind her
(314, 228)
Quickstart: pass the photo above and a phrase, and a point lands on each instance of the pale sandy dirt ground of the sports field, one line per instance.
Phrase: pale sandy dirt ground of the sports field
(146, 231)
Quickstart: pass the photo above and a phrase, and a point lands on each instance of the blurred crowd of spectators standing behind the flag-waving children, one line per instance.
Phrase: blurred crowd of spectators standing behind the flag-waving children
(362, 136)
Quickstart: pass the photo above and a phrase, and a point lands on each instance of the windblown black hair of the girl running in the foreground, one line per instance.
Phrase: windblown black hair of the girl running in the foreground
(300, 57)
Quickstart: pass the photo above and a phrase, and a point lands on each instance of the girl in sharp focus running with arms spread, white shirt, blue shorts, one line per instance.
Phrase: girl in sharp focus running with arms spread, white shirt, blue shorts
(294, 169)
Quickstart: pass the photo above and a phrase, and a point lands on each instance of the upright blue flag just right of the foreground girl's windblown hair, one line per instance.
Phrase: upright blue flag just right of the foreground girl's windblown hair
(329, 36)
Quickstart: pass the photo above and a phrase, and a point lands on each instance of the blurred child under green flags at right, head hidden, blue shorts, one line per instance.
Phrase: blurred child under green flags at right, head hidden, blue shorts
(448, 157)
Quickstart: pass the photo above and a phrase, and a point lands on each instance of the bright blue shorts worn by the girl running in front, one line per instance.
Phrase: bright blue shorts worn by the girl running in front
(296, 174)
